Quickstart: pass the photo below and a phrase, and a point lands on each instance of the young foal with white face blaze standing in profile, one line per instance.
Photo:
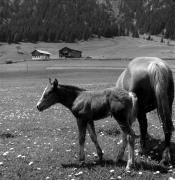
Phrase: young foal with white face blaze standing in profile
(88, 106)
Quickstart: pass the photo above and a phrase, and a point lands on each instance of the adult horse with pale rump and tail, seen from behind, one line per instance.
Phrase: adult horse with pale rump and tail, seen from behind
(151, 79)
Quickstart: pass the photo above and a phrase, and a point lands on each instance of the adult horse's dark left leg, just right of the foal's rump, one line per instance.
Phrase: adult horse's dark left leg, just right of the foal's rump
(143, 129)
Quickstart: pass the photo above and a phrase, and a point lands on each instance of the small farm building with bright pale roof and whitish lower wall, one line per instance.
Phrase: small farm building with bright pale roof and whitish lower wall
(40, 55)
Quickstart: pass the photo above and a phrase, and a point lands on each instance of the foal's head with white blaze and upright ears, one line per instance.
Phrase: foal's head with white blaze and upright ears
(49, 96)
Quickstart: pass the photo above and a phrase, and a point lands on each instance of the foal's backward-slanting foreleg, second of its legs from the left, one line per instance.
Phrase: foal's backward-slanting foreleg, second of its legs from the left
(91, 129)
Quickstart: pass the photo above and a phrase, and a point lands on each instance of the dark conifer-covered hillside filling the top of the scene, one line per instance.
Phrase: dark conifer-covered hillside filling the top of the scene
(75, 20)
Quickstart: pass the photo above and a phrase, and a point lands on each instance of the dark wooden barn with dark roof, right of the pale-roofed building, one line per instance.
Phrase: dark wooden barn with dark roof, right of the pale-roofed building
(69, 53)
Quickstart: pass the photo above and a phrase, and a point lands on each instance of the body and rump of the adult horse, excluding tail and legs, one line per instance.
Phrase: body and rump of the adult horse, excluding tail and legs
(136, 78)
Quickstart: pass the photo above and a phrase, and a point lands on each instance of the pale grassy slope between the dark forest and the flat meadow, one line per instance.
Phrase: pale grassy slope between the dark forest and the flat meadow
(119, 47)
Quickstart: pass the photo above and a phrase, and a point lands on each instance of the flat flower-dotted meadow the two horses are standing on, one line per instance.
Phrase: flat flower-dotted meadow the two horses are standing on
(44, 146)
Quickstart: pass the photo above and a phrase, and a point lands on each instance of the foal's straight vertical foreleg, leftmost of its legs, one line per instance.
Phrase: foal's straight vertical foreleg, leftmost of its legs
(82, 134)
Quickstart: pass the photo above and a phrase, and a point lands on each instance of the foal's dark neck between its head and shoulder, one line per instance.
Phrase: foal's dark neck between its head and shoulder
(67, 96)
